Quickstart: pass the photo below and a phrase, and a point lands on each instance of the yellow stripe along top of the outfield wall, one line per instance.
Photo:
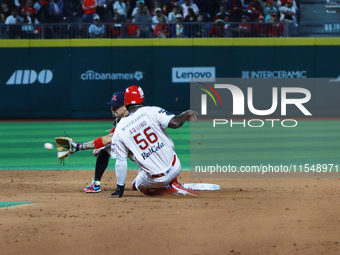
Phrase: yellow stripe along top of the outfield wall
(294, 41)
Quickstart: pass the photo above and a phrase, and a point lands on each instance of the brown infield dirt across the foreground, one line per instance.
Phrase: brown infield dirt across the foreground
(247, 216)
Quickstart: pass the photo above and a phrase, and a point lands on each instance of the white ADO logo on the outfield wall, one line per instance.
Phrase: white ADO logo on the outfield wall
(24, 77)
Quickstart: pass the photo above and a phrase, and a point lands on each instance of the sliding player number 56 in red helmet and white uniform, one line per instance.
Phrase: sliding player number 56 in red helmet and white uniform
(143, 133)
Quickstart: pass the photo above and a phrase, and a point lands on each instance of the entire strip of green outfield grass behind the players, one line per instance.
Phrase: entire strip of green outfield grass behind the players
(311, 142)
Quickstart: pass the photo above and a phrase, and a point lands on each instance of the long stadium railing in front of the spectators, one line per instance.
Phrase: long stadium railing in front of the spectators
(168, 30)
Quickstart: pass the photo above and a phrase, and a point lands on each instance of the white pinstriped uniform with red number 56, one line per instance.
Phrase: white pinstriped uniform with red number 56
(143, 133)
